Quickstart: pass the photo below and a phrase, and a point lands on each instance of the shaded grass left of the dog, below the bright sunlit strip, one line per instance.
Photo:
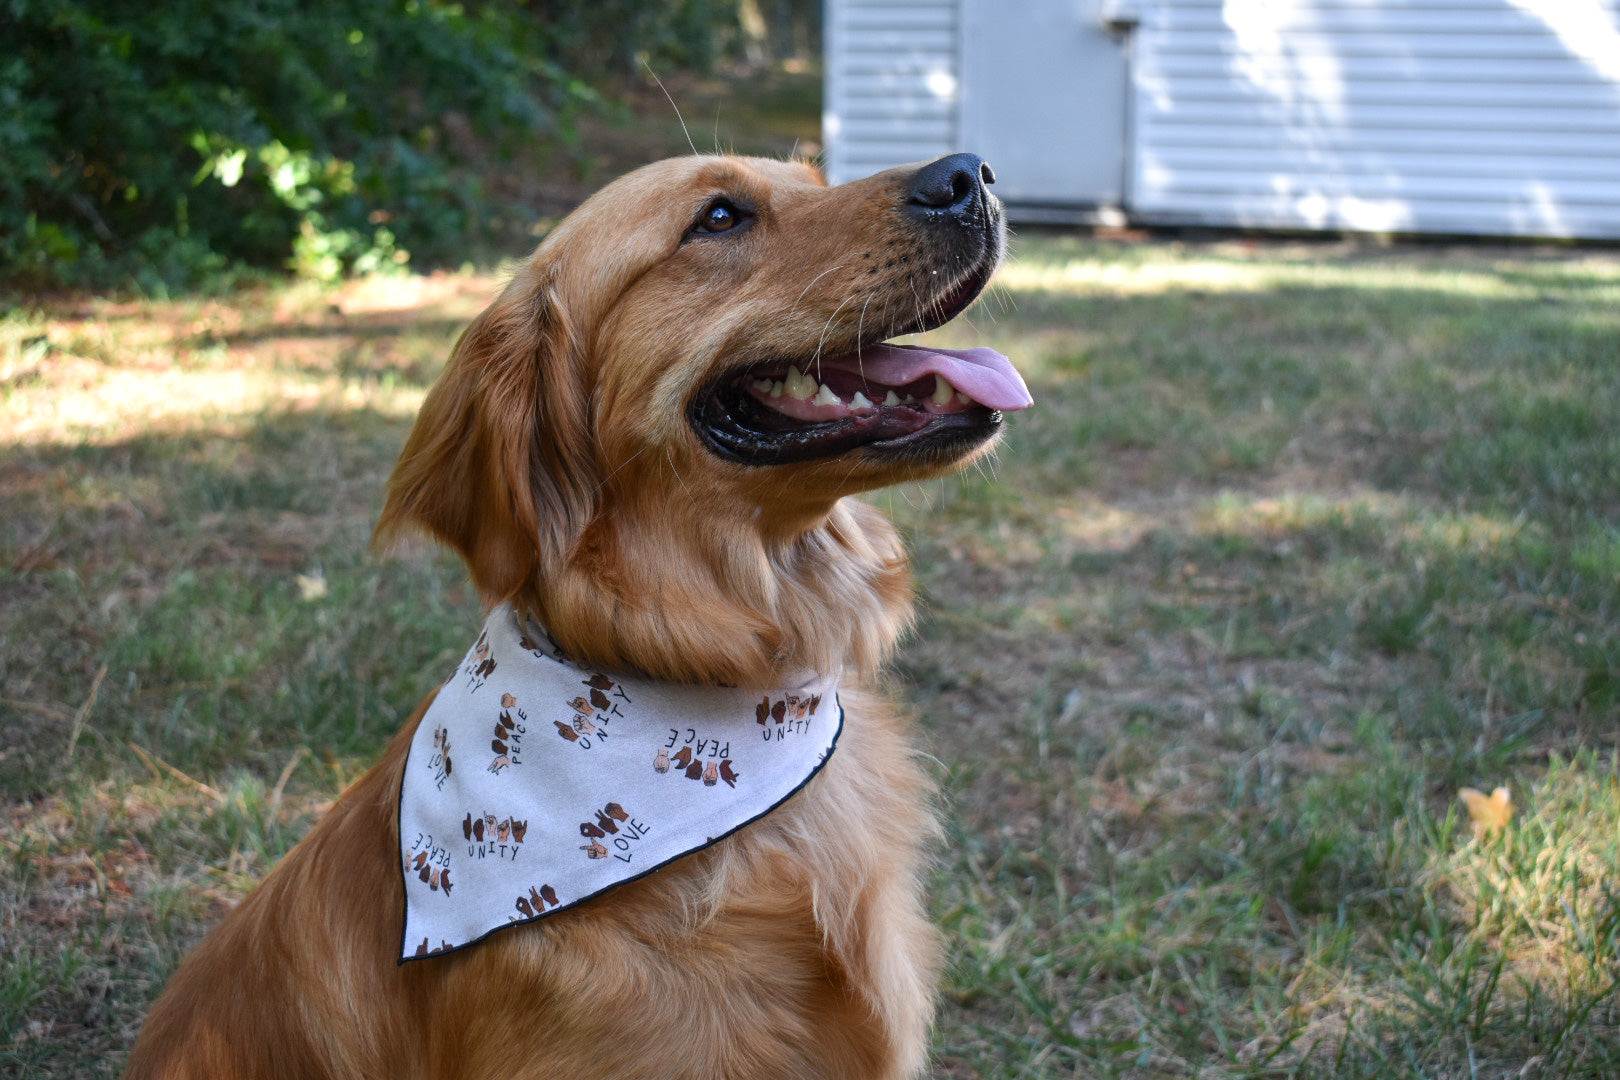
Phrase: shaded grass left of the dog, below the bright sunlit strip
(197, 653)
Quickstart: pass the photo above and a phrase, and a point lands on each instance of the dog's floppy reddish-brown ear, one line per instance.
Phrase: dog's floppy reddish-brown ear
(498, 466)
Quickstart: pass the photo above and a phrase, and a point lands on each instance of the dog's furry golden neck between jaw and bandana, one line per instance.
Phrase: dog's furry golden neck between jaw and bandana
(714, 595)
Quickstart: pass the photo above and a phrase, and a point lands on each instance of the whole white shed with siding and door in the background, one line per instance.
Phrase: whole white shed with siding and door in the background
(1490, 117)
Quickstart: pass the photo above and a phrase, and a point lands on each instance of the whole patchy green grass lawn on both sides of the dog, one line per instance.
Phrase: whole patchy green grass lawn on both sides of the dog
(1300, 542)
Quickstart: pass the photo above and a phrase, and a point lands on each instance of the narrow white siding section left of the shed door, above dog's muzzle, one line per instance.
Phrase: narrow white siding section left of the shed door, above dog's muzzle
(892, 77)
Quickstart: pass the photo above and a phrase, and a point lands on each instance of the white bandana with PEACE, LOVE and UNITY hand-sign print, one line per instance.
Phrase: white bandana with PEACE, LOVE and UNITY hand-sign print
(535, 784)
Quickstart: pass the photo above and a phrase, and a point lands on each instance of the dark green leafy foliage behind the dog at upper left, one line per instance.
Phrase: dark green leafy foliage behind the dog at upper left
(168, 142)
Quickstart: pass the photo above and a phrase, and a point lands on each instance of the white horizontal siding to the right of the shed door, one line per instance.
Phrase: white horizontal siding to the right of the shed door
(1426, 116)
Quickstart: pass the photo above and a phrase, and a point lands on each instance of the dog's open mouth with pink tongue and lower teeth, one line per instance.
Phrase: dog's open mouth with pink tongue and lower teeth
(882, 396)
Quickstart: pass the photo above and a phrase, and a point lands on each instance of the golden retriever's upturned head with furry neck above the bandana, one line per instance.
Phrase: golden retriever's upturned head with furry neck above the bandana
(647, 440)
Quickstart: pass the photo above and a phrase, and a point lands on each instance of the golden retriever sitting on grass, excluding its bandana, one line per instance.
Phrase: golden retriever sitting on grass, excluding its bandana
(647, 444)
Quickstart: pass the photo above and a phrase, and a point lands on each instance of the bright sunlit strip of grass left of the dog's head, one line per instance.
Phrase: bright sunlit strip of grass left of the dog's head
(117, 372)
